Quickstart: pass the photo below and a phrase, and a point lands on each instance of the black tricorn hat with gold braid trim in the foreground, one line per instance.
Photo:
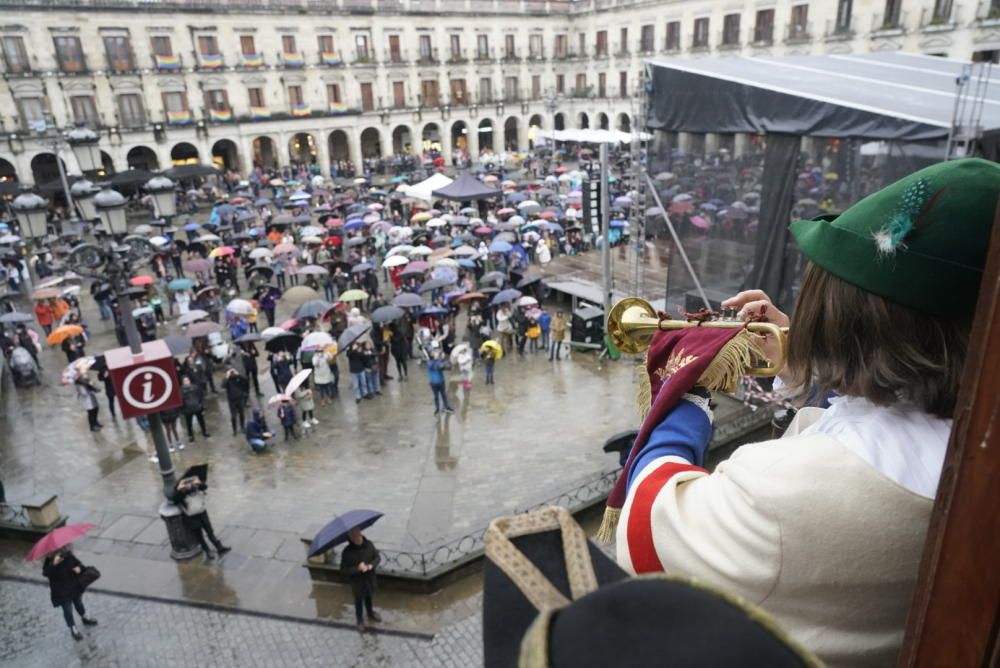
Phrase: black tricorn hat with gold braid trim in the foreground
(552, 599)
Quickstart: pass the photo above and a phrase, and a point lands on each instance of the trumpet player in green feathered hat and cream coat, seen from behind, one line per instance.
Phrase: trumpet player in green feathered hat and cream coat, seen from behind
(824, 527)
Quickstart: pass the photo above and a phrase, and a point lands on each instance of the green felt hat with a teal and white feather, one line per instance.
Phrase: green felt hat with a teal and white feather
(920, 242)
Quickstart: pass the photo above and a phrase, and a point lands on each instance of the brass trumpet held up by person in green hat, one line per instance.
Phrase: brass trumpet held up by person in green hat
(632, 322)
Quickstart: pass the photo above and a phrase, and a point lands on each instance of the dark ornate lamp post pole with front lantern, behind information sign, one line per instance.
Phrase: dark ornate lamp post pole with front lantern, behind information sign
(111, 261)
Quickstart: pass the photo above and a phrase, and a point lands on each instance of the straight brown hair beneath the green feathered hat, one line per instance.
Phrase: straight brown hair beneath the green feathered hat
(853, 342)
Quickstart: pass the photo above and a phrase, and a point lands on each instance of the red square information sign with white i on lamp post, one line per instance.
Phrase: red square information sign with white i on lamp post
(146, 382)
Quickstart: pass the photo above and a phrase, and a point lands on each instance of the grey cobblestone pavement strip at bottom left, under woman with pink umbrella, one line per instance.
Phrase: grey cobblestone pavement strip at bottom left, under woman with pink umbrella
(139, 633)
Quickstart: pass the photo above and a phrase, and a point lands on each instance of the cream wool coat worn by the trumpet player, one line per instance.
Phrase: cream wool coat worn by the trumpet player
(804, 528)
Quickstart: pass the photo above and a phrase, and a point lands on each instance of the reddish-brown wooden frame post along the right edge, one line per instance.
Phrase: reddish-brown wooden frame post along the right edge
(954, 619)
